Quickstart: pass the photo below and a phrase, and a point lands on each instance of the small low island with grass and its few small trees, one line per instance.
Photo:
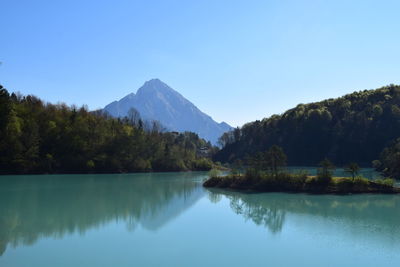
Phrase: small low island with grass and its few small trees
(265, 173)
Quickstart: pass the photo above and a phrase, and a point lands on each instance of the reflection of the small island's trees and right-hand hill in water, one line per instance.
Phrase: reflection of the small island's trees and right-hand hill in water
(357, 211)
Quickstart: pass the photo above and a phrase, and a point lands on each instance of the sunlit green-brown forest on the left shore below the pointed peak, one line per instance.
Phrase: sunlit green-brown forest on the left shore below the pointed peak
(38, 137)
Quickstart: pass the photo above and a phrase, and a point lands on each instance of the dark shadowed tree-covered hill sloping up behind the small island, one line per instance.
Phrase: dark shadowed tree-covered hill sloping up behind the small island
(352, 128)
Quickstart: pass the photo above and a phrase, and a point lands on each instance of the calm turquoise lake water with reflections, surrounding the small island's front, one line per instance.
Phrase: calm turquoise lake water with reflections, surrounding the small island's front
(171, 220)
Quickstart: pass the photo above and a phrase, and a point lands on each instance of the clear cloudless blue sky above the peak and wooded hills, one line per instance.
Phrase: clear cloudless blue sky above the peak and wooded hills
(238, 61)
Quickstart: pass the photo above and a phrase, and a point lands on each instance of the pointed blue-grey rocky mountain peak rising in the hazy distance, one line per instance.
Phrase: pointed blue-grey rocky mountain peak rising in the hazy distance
(157, 101)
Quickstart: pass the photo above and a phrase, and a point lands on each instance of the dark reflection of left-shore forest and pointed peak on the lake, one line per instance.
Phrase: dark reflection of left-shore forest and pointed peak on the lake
(35, 207)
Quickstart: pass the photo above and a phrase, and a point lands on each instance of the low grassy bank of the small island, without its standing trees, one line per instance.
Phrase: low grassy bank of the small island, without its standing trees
(259, 181)
